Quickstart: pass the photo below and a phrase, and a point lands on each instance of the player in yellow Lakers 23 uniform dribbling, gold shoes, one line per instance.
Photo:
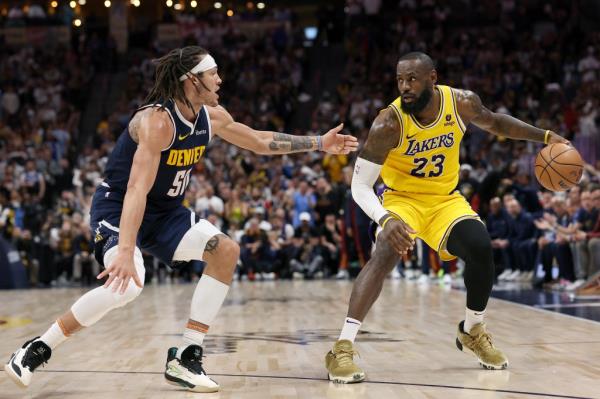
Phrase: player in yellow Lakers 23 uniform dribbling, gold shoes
(414, 146)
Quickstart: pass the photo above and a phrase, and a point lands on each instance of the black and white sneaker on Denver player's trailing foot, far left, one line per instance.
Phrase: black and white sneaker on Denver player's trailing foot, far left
(23, 362)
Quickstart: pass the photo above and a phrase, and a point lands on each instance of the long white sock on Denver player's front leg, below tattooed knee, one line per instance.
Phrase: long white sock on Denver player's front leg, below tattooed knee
(206, 302)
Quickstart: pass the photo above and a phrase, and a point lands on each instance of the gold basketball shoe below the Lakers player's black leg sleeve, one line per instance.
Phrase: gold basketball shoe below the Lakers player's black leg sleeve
(479, 342)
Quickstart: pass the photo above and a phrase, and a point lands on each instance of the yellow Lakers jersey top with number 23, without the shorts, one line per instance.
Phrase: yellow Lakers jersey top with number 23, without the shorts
(426, 159)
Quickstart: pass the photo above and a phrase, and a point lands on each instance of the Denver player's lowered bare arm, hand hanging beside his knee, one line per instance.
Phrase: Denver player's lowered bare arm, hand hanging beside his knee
(153, 131)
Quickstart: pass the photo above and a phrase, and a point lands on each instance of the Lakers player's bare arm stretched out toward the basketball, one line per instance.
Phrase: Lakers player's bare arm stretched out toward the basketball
(471, 109)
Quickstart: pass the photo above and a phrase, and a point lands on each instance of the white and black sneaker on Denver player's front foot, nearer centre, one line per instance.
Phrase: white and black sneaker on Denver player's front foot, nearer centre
(187, 372)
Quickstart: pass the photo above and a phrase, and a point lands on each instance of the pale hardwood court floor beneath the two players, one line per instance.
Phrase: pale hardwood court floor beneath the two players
(270, 339)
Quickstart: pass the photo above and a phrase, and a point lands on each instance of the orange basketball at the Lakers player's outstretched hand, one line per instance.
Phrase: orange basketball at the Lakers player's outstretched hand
(558, 167)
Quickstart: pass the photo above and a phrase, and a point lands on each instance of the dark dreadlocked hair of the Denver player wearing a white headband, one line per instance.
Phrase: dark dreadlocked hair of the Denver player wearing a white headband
(169, 69)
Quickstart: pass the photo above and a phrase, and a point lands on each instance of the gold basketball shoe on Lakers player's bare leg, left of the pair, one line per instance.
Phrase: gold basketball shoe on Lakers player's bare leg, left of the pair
(340, 363)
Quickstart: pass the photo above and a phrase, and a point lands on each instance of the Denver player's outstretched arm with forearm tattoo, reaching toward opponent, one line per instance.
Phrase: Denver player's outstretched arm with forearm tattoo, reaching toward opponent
(265, 142)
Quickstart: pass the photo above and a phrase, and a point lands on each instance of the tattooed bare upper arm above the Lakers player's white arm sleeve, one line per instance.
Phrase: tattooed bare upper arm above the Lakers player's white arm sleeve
(384, 136)
